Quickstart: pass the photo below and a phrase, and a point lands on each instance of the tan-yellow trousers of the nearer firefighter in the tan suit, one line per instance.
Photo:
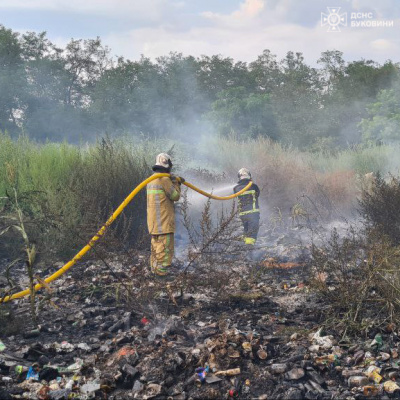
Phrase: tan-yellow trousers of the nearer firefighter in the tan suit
(162, 252)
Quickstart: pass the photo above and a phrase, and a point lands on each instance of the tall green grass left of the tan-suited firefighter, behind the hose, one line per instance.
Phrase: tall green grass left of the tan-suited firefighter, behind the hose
(77, 187)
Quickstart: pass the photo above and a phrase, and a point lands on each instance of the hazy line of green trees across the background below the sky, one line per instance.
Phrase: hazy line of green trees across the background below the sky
(80, 92)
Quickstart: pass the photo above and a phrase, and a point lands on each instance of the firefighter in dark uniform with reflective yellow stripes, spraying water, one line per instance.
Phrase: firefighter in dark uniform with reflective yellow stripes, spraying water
(249, 210)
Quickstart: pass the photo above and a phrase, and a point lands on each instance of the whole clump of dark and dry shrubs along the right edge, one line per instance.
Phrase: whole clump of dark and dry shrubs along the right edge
(359, 274)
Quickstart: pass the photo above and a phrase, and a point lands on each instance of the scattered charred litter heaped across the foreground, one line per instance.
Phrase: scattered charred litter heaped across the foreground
(200, 353)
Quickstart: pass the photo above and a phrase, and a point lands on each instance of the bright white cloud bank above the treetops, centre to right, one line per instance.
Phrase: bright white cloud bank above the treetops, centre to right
(257, 25)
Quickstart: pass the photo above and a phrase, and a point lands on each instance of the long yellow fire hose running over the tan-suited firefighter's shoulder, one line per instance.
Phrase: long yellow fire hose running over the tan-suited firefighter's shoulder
(103, 229)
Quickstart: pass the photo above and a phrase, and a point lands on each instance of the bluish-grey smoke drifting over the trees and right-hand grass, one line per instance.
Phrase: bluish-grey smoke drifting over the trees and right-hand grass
(272, 116)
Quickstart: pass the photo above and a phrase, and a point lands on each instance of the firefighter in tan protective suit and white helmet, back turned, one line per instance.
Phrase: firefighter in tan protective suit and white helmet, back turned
(161, 195)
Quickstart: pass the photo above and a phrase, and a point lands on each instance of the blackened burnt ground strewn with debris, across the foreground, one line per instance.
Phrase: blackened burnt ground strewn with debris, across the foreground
(257, 340)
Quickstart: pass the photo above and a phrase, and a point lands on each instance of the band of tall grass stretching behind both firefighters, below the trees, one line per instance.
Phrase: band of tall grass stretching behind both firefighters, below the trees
(79, 186)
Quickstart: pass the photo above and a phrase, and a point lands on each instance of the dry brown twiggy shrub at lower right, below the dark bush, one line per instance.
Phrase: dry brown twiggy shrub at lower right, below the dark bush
(358, 277)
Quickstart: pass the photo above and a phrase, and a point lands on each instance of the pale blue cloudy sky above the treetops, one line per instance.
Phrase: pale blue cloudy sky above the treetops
(236, 28)
